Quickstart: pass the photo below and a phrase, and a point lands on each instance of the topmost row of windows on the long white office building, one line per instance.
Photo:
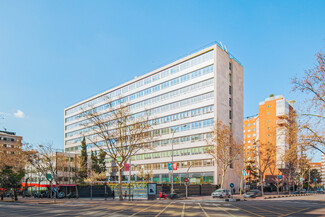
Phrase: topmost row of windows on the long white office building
(180, 67)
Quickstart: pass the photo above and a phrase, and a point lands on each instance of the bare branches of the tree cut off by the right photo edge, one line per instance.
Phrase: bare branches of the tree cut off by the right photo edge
(313, 114)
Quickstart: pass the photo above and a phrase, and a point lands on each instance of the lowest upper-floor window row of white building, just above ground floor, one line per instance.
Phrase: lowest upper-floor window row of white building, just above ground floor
(164, 166)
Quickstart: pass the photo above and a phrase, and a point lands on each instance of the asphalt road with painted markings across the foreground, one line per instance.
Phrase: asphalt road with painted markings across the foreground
(298, 206)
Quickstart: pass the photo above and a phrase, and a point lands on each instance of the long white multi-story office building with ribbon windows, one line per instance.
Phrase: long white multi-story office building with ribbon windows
(187, 95)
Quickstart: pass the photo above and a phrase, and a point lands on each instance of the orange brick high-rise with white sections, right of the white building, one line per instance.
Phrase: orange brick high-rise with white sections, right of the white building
(267, 128)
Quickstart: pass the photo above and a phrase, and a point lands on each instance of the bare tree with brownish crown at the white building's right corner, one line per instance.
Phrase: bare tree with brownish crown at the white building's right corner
(223, 148)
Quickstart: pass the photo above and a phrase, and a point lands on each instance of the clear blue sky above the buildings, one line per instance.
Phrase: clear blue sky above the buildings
(56, 53)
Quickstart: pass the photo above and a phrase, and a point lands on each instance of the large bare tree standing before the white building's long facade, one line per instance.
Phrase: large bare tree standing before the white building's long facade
(120, 134)
